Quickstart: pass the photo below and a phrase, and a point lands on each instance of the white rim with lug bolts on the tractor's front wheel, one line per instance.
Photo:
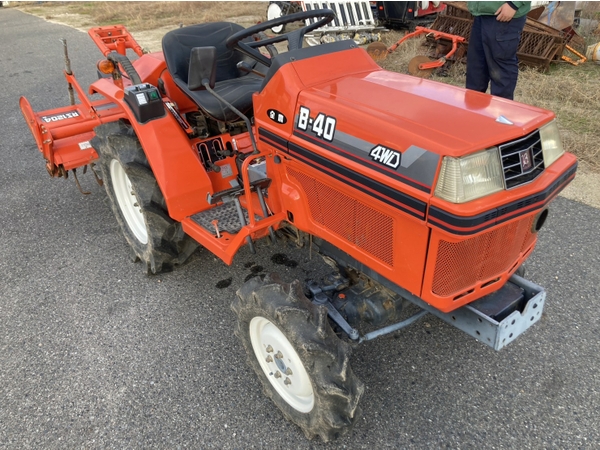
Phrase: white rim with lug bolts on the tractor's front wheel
(281, 364)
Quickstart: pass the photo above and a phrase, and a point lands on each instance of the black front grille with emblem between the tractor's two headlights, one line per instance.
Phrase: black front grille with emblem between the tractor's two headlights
(522, 160)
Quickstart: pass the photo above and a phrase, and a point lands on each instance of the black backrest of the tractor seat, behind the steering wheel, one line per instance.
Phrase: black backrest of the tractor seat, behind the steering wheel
(177, 46)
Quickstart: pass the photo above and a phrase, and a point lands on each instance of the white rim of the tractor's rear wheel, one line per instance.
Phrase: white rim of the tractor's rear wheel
(128, 202)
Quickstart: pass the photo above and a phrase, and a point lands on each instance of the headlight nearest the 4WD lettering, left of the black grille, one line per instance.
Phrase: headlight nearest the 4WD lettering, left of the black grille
(470, 177)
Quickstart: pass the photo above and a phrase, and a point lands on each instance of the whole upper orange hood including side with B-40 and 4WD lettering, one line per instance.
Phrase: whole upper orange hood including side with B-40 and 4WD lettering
(352, 117)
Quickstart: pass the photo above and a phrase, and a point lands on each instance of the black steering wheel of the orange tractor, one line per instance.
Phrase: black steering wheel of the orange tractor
(294, 38)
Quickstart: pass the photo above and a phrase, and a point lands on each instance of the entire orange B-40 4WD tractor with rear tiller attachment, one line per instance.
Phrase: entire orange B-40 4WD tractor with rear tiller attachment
(416, 192)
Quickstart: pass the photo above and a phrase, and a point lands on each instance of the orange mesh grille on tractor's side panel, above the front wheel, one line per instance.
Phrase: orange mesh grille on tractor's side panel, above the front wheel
(349, 218)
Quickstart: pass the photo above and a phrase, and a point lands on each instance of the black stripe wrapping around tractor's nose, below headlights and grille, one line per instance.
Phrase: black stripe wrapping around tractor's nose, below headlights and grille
(474, 224)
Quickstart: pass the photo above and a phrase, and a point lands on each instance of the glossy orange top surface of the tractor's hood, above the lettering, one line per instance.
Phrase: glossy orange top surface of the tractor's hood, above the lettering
(400, 111)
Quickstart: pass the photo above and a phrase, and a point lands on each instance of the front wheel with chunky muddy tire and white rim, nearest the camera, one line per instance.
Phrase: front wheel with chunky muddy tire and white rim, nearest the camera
(324, 401)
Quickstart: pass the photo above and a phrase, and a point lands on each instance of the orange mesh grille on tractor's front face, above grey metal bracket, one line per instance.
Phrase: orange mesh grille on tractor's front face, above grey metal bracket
(486, 256)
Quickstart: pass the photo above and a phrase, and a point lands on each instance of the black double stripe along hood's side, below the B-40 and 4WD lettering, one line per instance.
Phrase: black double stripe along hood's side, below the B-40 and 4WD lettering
(397, 199)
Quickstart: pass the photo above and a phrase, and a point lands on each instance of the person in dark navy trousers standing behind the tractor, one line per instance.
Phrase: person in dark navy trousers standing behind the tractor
(492, 53)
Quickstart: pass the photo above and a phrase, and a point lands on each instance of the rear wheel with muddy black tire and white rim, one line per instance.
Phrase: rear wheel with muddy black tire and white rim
(136, 200)
